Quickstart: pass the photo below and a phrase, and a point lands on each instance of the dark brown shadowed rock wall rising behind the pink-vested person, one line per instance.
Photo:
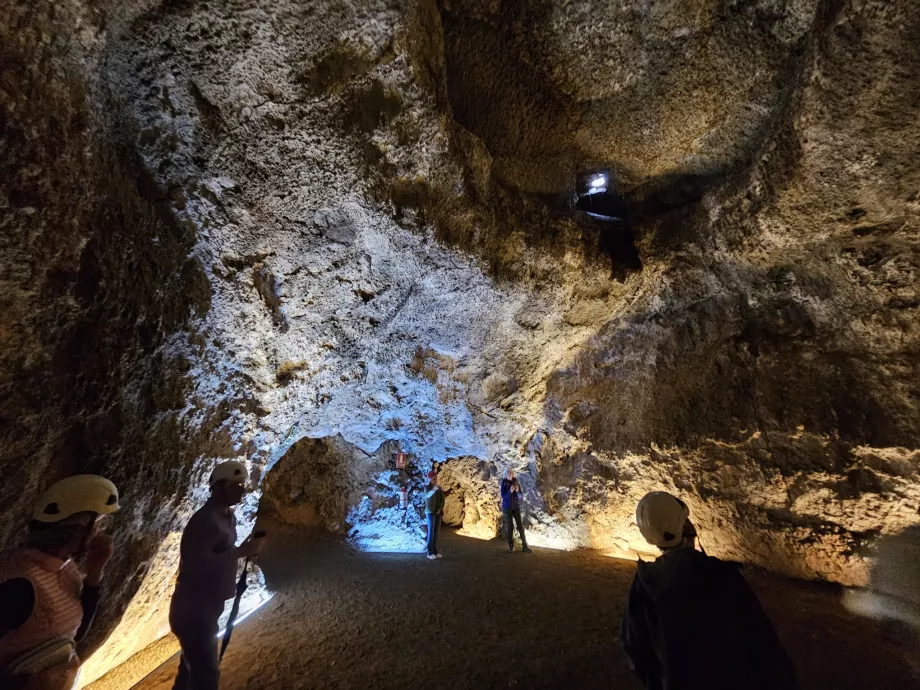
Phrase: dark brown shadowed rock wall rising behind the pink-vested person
(96, 277)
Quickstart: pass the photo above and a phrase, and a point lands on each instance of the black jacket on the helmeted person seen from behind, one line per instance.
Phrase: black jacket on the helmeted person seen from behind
(692, 621)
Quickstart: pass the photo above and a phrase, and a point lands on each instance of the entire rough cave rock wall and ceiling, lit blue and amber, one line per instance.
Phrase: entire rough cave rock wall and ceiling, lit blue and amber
(312, 234)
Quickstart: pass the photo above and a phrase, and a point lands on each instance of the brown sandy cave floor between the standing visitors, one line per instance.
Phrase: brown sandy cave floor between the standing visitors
(483, 618)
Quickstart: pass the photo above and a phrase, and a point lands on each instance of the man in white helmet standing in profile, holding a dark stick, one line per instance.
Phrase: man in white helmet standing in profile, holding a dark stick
(209, 558)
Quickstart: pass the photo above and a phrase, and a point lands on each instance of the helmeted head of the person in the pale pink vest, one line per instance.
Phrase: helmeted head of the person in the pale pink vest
(70, 512)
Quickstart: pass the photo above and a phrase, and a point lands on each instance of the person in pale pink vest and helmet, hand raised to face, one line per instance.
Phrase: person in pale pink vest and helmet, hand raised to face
(46, 604)
